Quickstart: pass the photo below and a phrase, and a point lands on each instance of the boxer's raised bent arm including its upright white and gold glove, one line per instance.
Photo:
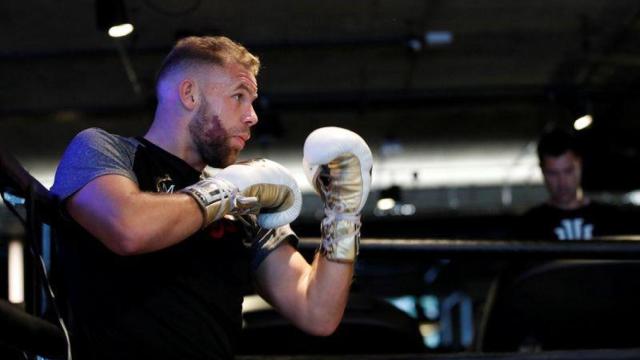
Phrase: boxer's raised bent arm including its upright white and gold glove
(338, 164)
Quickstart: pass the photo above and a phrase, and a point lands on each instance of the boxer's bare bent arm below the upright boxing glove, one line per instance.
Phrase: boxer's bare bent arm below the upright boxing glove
(313, 297)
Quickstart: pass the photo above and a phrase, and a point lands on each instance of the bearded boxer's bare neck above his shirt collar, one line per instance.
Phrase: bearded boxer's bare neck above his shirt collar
(172, 135)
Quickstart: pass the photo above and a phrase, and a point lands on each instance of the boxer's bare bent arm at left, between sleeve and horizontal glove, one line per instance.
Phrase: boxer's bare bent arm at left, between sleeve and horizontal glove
(129, 221)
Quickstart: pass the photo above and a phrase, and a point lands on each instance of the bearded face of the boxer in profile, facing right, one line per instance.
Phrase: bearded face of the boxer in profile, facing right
(225, 114)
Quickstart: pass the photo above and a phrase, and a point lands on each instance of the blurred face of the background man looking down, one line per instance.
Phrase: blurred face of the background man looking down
(562, 176)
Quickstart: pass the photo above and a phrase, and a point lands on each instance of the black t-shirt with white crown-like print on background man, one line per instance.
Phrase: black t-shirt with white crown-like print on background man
(546, 222)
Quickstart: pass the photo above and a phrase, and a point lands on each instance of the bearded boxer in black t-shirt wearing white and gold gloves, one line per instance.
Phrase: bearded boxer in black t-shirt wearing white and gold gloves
(156, 254)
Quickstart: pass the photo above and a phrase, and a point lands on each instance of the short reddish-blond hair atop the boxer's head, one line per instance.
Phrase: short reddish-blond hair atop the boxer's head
(206, 50)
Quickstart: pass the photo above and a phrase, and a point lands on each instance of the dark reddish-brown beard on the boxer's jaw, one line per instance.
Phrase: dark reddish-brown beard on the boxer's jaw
(210, 138)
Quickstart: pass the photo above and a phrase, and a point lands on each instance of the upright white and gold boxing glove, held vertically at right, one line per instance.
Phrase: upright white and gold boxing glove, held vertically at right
(338, 163)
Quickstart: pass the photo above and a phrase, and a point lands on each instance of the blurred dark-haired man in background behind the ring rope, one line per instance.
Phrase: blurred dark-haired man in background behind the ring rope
(568, 214)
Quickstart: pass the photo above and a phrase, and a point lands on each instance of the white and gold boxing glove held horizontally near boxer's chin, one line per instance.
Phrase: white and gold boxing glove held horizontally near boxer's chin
(259, 186)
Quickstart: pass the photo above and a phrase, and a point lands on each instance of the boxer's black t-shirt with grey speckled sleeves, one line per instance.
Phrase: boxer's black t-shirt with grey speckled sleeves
(182, 302)
